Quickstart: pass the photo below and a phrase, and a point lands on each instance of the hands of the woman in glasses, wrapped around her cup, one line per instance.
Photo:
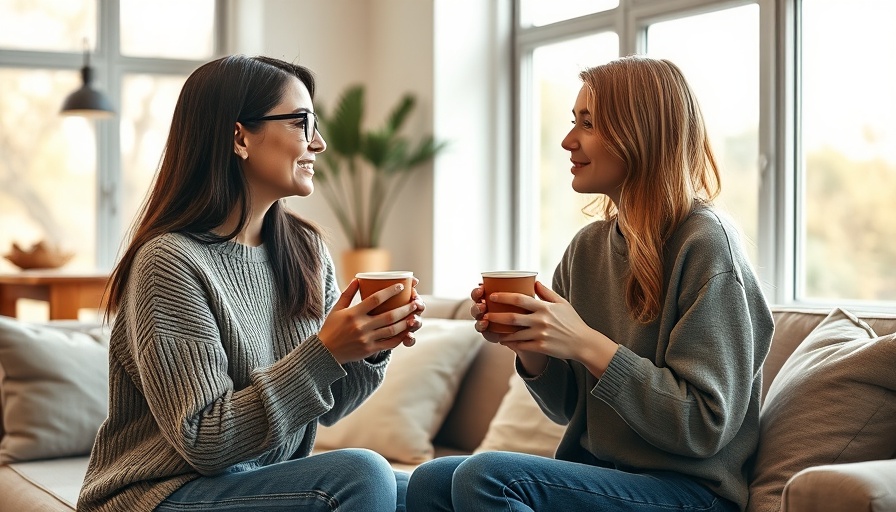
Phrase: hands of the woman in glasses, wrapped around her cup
(350, 334)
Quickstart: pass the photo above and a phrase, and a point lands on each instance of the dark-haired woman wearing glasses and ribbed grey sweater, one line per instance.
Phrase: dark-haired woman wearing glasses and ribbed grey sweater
(231, 340)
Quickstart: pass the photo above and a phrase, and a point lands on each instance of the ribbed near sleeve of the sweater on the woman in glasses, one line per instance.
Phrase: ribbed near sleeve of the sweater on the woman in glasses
(183, 371)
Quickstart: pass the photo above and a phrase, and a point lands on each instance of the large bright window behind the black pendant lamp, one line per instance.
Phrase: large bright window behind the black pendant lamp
(76, 182)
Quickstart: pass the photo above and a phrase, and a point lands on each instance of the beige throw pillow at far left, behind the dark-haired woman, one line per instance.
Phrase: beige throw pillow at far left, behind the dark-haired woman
(54, 390)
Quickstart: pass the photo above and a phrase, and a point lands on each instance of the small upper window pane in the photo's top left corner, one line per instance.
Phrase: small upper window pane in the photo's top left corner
(49, 25)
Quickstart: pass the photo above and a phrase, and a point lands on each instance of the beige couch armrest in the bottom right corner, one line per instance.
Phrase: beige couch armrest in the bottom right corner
(859, 486)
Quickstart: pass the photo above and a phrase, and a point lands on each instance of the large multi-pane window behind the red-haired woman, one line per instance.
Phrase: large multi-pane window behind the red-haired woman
(802, 136)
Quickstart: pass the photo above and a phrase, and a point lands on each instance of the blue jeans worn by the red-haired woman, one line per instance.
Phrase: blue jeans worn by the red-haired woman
(515, 482)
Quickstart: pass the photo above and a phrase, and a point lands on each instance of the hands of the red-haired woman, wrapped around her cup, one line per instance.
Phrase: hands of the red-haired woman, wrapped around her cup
(553, 328)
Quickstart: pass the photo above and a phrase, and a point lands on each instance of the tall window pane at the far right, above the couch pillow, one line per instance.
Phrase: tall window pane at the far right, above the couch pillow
(848, 142)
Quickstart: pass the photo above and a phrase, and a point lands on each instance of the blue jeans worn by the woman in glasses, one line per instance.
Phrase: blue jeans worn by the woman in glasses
(345, 480)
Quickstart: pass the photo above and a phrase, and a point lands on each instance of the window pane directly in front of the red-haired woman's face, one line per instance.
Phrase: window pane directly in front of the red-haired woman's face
(557, 208)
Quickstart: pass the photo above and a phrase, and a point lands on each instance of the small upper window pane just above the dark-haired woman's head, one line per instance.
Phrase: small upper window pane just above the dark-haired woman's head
(171, 29)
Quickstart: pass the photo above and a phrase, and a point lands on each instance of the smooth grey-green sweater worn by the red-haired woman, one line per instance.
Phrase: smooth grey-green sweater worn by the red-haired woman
(682, 393)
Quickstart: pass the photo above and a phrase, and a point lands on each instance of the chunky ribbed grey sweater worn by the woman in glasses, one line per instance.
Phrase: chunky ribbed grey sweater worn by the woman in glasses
(206, 373)
